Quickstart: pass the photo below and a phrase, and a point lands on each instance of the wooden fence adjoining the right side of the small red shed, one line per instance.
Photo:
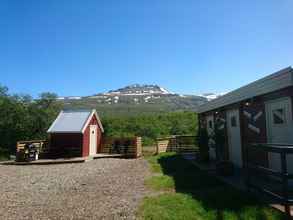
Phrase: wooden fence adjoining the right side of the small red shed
(129, 147)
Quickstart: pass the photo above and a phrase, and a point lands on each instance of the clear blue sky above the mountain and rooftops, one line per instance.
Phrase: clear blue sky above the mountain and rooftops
(83, 47)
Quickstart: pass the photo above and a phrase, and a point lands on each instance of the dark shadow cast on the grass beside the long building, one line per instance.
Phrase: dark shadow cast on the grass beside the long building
(213, 194)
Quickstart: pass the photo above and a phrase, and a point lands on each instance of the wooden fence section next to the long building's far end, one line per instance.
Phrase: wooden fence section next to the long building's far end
(179, 144)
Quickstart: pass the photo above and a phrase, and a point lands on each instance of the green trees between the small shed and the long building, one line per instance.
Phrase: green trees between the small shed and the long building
(152, 126)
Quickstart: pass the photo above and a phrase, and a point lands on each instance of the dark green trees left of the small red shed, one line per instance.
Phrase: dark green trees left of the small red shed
(24, 118)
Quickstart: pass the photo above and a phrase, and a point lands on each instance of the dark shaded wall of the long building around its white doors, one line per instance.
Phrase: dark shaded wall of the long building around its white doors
(252, 121)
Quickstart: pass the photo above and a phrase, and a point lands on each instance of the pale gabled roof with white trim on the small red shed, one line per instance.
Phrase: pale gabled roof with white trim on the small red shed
(73, 121)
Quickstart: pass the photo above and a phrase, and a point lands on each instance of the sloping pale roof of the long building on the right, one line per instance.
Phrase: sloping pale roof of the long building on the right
(271, 83)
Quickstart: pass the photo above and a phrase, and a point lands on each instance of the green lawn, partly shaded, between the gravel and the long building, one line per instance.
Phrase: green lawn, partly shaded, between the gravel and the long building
(184, 192)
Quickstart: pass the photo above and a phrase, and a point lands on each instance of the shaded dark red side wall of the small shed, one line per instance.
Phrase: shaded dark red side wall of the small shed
(65, 145)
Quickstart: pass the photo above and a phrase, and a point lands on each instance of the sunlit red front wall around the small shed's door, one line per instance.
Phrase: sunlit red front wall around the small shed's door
(86, 137)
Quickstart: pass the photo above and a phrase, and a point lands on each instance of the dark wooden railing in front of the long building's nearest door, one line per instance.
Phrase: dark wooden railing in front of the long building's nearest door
(276, 182)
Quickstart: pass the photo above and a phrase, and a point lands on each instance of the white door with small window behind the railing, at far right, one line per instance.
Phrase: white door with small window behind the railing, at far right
(279, 129)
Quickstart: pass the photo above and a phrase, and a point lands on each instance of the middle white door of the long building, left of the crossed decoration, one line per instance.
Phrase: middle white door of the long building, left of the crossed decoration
(234, 137)
